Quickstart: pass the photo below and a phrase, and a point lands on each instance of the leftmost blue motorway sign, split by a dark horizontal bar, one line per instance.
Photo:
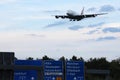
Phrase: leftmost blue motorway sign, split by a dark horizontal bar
(26, 74)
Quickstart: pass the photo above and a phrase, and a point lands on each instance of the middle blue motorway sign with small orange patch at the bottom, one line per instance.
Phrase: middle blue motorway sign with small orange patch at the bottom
(53, 70)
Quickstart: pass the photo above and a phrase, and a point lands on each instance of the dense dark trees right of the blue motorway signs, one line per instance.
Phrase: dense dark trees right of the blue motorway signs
(102, 63)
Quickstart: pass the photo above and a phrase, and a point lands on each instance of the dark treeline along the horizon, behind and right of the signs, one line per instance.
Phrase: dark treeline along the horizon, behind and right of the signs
(94, 63)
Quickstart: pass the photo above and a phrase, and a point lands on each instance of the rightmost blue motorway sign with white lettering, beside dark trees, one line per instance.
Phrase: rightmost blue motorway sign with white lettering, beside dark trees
(74, 70)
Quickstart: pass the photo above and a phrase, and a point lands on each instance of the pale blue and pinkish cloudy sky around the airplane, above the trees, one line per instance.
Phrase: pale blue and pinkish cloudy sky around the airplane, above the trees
(29, 28)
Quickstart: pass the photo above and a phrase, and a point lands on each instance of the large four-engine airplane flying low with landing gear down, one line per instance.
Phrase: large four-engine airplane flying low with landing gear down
(74, 17)
